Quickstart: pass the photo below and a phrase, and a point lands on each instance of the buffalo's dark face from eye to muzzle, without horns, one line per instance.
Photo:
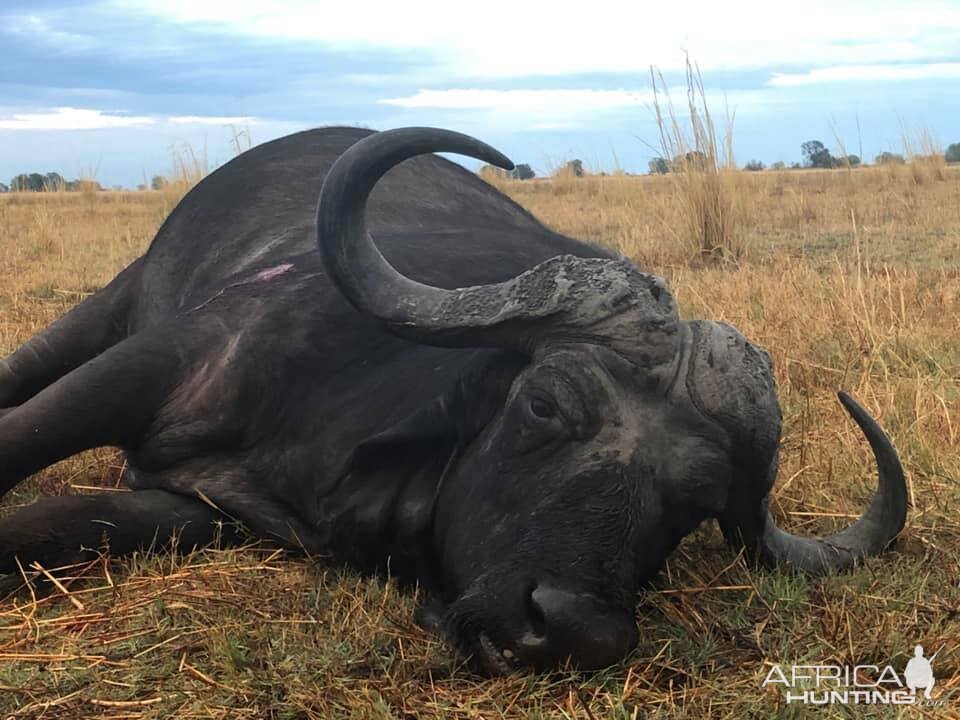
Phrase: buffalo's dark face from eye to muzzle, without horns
(585, 499)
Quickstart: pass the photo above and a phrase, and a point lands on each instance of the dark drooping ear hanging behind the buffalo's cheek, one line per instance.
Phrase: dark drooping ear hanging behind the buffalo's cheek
(382, 510)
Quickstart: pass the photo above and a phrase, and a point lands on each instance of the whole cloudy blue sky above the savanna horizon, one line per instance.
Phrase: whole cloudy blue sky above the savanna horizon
(114, 88)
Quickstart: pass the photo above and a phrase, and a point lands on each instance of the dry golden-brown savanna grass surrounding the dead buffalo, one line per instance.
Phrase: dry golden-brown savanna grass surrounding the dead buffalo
(850, 278)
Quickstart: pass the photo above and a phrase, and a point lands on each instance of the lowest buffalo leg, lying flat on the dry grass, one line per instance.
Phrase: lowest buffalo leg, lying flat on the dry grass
(58, 531)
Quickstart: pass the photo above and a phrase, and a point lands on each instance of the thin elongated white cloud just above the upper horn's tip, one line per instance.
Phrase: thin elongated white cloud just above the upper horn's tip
(534, 101)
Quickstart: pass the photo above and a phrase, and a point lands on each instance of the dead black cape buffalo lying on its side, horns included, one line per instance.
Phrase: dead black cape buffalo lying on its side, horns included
(415, 376)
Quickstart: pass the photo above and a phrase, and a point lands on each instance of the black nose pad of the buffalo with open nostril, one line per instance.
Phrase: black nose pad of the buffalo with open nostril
(578, 626)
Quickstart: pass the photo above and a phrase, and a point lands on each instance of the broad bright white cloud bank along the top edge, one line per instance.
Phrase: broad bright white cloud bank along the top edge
(509, 39)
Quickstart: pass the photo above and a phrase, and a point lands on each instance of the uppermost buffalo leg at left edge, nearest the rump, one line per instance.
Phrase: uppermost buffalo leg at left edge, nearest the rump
(83, 333)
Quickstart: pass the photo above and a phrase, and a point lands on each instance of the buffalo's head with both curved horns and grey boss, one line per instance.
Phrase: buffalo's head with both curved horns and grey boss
(617, 429)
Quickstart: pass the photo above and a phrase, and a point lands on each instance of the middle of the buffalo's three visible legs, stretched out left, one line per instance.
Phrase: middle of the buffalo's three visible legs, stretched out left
(109, 400)
